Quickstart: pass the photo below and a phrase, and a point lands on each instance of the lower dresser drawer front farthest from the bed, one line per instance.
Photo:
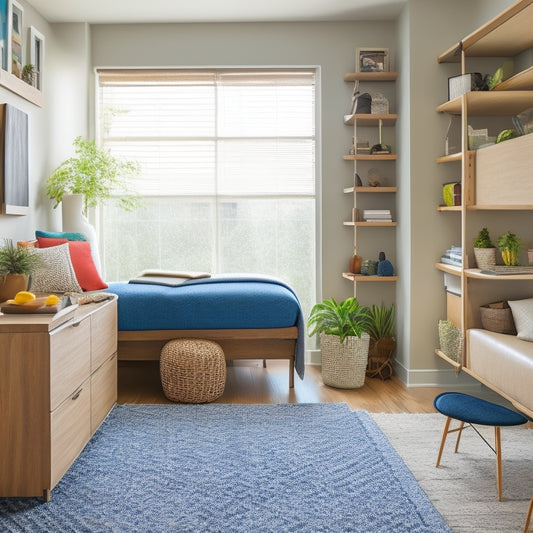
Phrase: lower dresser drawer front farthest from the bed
(70, 427)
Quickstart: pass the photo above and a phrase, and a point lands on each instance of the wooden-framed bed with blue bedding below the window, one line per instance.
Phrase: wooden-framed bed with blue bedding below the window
(250, 317)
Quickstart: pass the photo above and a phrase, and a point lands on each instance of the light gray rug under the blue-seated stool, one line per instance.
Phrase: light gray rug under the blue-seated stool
(463, 488)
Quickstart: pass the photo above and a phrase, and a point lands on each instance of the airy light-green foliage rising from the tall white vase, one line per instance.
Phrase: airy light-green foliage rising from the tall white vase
(95, 173)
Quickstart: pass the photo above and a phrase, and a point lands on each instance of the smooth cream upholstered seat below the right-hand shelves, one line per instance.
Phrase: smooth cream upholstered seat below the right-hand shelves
(504, 363)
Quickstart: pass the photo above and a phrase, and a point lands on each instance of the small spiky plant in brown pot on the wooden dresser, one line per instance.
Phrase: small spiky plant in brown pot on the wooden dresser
(17, 263)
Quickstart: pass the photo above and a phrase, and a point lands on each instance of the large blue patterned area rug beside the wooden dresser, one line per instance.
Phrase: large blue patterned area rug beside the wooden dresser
(238, 468)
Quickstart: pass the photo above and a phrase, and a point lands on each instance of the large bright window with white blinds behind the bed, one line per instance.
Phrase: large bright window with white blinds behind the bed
(228, 172)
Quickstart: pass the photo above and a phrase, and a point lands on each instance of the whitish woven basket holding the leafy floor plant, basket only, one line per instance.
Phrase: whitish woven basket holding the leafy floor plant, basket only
(344, 365)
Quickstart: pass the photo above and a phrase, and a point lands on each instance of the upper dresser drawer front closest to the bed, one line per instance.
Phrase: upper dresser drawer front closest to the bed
(103, 334)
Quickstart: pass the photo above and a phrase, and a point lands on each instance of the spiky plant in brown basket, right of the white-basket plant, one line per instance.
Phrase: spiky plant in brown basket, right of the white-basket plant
(380, 324)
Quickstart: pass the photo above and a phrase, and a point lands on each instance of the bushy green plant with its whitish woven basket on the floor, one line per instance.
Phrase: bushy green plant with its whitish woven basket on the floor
(343, 340)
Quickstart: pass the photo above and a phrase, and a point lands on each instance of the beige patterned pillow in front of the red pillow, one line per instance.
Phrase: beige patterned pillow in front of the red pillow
(57, 274)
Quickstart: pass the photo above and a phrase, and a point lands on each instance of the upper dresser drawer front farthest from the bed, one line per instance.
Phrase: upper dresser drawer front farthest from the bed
(70, 359)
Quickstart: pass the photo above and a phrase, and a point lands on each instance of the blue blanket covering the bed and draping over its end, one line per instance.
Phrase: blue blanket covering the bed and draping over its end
(219, 302)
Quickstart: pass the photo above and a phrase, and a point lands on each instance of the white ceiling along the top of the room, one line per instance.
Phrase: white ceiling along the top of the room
(137, 11)
